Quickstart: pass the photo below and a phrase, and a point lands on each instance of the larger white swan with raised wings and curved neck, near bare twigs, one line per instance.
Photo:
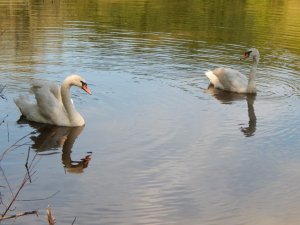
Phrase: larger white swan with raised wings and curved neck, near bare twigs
(53, 102)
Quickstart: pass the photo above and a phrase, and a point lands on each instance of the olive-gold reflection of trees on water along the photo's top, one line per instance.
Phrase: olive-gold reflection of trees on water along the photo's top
(200, 20)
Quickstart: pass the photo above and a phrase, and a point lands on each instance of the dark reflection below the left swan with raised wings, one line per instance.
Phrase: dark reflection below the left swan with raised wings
(49, 137)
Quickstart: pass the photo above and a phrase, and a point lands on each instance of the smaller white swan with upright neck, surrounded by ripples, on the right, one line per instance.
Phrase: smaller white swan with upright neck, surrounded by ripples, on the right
(234, 81)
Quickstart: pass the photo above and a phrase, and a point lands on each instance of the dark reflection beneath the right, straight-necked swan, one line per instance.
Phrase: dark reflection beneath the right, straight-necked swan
(229, 97)
